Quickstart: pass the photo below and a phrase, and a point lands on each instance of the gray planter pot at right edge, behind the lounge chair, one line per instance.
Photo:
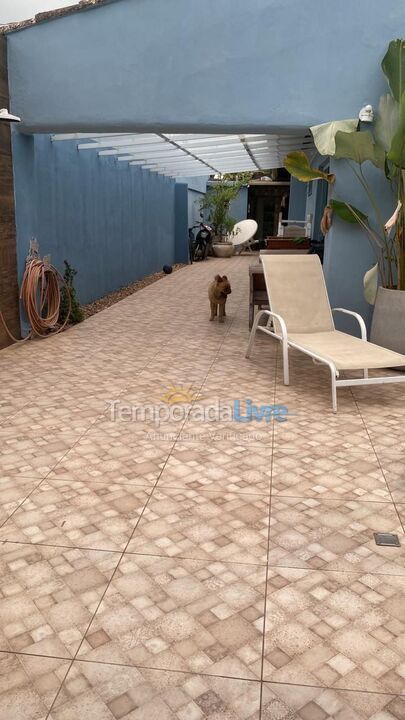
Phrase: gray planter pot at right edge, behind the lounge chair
(388, 326)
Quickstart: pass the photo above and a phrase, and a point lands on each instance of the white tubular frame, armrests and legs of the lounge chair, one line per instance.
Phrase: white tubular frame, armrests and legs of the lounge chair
(286, 342)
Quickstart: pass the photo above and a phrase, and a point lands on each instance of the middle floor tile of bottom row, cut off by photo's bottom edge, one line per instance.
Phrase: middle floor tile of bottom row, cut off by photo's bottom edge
(108, 692)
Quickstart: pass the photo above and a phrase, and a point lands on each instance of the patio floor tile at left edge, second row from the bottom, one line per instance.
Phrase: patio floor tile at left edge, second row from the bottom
(49, 595)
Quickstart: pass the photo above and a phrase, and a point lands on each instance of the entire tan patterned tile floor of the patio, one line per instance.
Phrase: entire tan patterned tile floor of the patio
(195, 570)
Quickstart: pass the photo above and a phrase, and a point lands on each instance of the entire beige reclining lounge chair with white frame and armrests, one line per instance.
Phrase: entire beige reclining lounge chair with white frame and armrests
(300, 317)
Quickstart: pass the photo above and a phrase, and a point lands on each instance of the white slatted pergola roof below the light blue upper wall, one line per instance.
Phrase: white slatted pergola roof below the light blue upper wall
(187, 155)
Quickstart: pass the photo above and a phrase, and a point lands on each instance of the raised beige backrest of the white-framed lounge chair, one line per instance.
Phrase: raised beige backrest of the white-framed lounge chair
(296, 289)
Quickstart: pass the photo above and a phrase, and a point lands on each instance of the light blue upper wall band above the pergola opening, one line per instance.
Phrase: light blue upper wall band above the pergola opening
(117, 67)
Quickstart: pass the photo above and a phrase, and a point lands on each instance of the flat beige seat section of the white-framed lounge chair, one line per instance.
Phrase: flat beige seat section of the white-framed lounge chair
(347, 352)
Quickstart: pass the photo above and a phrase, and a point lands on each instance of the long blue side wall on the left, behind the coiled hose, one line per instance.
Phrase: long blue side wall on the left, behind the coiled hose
(113, 222)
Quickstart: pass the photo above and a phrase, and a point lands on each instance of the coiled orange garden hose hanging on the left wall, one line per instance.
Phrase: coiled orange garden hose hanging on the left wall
(40, 295)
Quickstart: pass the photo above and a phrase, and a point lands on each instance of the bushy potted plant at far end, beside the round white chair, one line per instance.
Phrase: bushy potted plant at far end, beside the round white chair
(216, 203)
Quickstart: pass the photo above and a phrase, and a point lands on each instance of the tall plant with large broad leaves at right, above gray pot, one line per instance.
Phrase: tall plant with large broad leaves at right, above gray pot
(384, 147)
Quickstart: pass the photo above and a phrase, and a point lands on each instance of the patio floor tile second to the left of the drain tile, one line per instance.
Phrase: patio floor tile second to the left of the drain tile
(79, 514)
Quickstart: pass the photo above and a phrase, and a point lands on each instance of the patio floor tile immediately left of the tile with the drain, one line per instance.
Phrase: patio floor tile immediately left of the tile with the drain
(222, 525)
